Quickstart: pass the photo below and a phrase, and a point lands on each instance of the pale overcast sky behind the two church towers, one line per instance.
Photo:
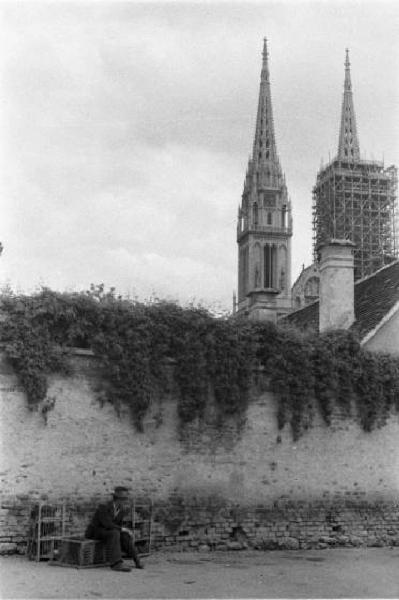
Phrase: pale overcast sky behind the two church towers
(126, 130)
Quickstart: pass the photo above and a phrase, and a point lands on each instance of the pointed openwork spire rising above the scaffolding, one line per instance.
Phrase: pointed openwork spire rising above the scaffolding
(348, 145)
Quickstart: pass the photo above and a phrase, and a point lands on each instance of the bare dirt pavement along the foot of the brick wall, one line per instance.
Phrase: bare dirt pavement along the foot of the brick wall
(331, 573)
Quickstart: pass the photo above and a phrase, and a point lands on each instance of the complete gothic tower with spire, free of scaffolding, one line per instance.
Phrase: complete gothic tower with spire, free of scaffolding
(264, 228)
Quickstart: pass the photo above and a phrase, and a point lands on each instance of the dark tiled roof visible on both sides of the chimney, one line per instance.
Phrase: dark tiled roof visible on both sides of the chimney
(375, 296)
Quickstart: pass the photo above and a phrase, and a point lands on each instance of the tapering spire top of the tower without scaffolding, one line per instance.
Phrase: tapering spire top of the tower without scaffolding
(264, 155)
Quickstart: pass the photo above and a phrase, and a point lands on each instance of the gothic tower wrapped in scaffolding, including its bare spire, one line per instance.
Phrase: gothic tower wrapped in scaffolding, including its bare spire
(355, 199)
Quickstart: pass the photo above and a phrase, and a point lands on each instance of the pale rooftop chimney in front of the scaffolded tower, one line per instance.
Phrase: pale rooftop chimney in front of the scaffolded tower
(336, 295)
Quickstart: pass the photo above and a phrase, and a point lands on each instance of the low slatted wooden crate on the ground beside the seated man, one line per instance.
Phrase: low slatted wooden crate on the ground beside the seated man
(82, 552)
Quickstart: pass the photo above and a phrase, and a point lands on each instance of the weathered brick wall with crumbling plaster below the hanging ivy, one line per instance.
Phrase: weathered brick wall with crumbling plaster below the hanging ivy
(251, 486)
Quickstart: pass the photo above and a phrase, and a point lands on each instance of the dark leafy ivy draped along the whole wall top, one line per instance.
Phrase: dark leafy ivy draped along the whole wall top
(214, 359)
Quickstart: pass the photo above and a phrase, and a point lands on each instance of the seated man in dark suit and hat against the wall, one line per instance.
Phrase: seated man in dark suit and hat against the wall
(107, 525)
